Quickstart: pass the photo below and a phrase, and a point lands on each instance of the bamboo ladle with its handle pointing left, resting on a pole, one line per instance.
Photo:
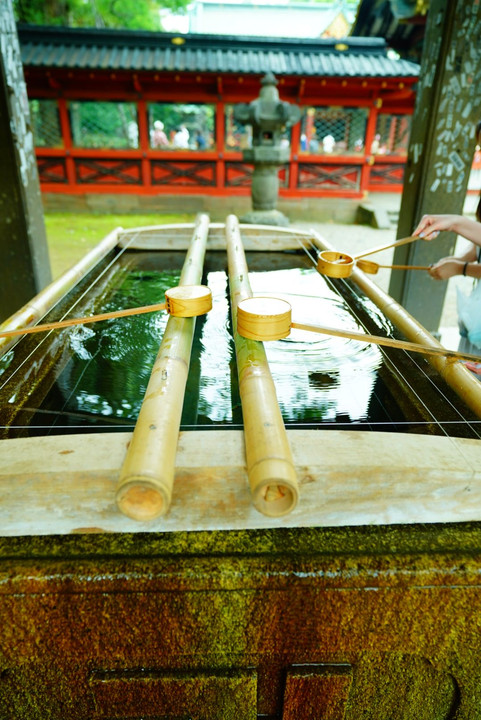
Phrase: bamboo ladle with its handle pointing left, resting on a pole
(181, 301)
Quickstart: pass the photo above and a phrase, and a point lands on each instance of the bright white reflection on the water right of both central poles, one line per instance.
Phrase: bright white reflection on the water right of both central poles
(295, 359)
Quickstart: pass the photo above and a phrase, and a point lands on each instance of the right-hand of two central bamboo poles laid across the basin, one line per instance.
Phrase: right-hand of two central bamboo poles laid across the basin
(270, 466)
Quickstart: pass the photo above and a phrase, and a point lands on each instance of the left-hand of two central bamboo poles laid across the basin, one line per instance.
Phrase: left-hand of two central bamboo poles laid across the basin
(147, 475)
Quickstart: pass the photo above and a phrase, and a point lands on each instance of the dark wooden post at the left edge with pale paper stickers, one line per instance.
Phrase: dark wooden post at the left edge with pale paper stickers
(24, 263)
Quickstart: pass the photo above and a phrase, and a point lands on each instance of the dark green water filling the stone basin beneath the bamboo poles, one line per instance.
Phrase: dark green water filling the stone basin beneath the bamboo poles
(94, 377)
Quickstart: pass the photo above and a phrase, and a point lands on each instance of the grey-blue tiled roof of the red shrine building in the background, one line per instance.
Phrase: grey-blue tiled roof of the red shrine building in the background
(81, 48)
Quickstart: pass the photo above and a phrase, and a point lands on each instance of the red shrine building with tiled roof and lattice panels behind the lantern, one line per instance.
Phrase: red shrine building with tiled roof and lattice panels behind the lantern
(151, 114)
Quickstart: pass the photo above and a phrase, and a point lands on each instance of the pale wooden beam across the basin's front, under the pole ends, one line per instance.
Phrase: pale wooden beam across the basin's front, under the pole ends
(52, 485)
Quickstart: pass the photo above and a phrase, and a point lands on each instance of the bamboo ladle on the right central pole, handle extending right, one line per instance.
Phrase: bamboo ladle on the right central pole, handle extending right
(266, 318)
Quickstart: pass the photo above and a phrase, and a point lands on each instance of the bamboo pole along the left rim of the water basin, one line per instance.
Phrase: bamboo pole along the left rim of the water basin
(46, 299)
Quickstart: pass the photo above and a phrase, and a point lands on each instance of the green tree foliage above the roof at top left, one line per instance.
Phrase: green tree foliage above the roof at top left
(129, 14)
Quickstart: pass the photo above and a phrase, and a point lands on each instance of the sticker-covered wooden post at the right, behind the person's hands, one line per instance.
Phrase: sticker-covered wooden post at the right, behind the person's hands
(441, 147)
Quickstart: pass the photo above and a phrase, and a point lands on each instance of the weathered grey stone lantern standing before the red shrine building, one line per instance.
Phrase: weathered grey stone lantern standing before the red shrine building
(269, 118)
